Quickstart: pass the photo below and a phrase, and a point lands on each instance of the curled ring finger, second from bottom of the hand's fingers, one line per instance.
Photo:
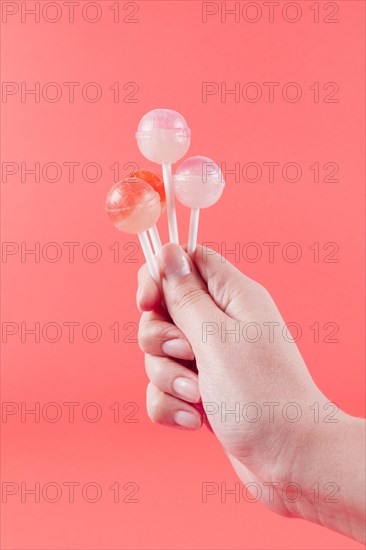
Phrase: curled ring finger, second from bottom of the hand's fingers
(172, 378)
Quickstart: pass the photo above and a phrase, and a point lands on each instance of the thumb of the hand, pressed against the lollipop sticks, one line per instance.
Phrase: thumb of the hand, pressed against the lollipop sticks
(186, 296)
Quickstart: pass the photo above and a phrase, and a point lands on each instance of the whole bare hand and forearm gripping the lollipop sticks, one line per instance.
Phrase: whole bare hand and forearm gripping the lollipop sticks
(214, 356)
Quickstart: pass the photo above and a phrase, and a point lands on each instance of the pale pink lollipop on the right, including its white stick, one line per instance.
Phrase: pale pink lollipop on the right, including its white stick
(198, 183)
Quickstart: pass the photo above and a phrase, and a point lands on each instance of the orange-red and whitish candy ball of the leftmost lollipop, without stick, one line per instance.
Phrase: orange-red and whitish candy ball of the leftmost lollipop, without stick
(133, 206)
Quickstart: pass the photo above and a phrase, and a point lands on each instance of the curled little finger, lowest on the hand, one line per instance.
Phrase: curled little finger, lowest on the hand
(169, 411)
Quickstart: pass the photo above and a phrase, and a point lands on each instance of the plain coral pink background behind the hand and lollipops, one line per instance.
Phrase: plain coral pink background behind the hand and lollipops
(169, 52)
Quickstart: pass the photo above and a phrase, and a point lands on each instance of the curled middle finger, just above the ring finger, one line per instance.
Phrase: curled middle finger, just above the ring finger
(158, 336)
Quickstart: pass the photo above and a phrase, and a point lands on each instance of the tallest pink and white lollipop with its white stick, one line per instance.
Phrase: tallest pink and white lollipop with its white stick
(164, 137)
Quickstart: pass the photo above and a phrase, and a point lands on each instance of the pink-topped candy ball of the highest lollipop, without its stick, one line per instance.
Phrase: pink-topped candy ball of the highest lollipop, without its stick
(163, 136)
